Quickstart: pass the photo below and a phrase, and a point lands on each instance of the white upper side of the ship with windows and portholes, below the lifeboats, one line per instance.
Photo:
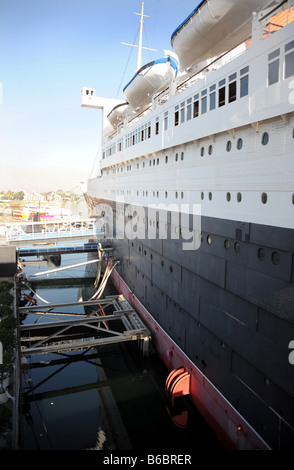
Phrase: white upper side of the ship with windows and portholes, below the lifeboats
(223, 140)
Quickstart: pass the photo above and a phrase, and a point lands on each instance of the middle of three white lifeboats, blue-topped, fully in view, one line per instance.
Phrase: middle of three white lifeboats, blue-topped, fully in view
(151, 78)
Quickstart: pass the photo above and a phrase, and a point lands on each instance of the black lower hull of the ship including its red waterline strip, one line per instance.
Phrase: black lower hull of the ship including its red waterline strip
(225, 309)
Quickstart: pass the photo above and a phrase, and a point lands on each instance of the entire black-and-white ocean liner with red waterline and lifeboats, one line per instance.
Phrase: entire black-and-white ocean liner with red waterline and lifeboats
(195, 190)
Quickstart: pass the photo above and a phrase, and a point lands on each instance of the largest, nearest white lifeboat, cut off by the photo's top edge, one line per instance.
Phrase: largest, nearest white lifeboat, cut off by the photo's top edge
(214, 27)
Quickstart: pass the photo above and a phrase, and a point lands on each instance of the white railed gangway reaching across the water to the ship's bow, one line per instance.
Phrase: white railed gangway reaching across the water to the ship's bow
(20, 233)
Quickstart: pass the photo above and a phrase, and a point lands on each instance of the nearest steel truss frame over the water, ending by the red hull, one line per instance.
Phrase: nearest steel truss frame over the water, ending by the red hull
(84, 332)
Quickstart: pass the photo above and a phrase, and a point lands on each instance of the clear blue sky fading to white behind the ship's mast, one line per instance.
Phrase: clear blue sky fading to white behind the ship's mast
(49, 50)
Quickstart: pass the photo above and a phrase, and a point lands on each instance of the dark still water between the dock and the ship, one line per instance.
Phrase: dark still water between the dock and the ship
(106, 399)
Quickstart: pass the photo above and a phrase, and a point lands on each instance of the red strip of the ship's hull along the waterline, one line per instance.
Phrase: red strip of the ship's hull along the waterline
(227, 423)
